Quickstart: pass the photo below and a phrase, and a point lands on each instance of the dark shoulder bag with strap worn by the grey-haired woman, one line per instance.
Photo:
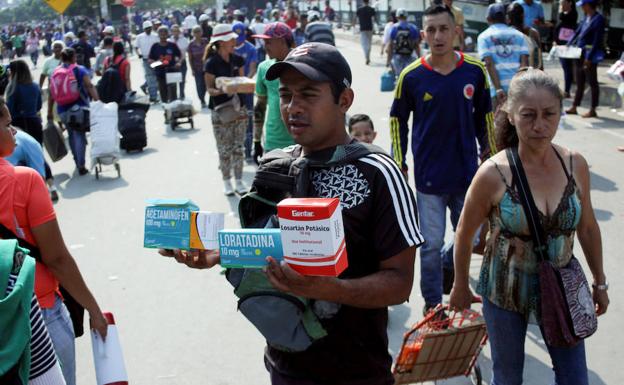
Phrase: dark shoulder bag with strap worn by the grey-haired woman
(567, 309)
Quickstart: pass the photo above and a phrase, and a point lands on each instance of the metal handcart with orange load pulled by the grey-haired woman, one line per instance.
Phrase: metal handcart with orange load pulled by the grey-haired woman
(444, 344)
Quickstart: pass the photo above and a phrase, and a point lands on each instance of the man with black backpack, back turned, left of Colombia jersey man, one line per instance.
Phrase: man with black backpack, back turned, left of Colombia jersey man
(404, 43)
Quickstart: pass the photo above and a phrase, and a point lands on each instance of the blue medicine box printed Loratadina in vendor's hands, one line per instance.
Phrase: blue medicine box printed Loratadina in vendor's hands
(248, 248)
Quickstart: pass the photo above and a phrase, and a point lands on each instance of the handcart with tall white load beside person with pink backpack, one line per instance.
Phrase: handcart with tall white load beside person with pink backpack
(104, 137)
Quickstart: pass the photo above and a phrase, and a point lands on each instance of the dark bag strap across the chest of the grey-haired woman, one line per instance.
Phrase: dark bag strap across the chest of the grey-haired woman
(528, 204)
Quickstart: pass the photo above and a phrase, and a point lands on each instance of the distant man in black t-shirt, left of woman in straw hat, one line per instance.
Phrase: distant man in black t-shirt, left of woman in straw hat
(168, 56)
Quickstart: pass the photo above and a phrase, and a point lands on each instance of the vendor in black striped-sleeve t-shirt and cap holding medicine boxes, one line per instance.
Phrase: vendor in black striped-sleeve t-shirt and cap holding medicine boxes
(381, 232)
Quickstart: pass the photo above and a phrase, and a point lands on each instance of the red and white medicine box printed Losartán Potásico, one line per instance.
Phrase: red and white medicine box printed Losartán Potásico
(313, 235)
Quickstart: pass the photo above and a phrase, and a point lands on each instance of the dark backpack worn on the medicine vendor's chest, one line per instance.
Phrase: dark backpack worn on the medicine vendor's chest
(288, 323)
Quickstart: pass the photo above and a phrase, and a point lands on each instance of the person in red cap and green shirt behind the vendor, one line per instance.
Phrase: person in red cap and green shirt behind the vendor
(278, 41)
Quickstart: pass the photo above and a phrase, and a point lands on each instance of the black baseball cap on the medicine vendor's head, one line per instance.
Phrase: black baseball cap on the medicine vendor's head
(316, 61)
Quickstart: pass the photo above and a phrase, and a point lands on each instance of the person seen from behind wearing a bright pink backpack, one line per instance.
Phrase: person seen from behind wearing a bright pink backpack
(69, 112)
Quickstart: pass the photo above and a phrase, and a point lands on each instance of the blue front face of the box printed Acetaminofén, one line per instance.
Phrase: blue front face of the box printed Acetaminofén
(168, 223)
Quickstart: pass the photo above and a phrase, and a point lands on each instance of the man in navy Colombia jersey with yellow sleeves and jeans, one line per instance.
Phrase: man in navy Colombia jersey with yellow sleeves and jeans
(448, 95)
